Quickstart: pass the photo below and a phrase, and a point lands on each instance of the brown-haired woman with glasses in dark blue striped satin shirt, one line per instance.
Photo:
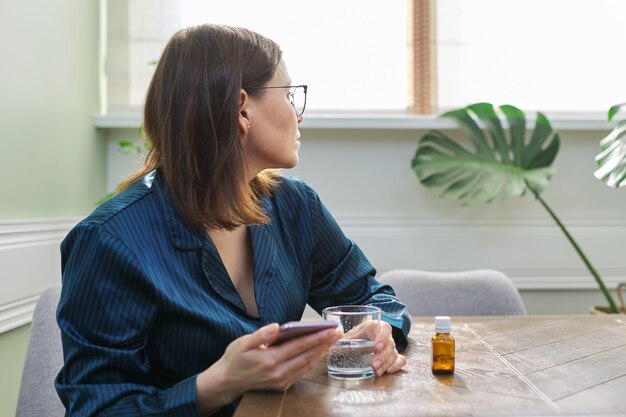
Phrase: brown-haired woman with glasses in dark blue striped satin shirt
(173, 289)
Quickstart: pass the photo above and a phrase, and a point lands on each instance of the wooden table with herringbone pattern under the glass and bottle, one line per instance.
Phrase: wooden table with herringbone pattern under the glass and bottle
(505, 366)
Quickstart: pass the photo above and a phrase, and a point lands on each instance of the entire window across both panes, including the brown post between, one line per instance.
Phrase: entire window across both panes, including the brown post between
(373, 55)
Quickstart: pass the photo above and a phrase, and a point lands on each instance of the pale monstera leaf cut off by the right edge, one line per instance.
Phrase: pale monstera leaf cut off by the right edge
(612, 157)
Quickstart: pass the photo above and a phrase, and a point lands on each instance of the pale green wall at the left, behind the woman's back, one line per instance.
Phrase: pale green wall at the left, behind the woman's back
(52, 160)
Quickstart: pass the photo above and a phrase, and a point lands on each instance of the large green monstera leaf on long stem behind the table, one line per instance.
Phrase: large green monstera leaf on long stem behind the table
(510, 163)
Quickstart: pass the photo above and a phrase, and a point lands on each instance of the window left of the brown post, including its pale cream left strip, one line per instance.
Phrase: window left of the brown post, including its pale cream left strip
(351, 53)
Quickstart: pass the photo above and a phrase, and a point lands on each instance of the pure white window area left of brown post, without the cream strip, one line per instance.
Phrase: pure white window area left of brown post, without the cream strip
(351, 53)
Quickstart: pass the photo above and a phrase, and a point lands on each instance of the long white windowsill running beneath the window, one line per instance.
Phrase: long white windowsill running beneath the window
(378, 120)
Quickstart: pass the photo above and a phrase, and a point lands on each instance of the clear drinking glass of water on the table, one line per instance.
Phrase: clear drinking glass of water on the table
(351, 356)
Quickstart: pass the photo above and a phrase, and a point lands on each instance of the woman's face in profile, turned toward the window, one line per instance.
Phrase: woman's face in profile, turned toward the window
(271, 141)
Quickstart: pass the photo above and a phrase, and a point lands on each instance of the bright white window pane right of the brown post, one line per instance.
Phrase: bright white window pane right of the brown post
(555, 55)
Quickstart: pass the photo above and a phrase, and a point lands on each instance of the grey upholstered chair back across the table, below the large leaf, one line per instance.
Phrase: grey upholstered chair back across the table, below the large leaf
(482, 292)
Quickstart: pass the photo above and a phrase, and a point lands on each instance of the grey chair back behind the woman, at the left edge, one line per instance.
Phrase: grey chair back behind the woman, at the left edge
(44, 358)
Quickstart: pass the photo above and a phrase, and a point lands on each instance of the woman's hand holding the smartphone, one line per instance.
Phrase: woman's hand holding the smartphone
(249, 364)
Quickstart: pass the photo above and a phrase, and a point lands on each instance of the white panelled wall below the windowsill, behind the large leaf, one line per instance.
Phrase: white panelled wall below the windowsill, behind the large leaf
(364, 177)
